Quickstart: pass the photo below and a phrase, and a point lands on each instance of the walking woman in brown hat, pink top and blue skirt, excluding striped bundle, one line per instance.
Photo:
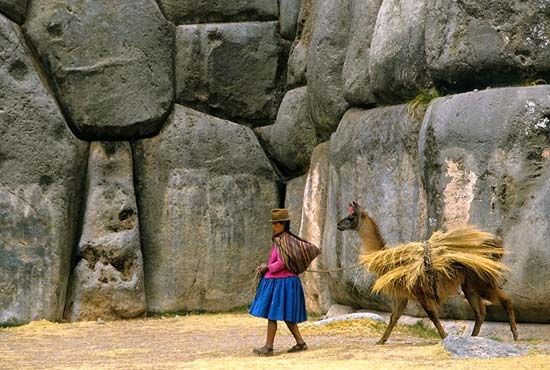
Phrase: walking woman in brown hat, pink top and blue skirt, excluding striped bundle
(279, 296)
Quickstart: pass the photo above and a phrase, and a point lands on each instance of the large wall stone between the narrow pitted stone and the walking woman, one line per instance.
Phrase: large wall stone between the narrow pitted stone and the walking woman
(205, 191)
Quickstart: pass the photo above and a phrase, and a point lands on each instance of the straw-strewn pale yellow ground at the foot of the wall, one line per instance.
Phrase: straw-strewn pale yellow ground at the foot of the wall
(225, 341)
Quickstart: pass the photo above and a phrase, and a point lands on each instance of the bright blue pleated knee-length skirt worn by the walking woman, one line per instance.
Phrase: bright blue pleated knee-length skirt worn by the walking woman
(280, 300)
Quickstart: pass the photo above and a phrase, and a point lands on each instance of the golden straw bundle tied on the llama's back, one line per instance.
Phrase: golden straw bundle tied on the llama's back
(402, 268)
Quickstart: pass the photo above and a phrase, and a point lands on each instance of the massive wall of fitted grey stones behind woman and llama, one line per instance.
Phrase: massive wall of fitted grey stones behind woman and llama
(145, 142)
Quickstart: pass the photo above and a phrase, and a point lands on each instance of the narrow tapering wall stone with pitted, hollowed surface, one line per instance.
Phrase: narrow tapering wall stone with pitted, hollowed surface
(107, 281)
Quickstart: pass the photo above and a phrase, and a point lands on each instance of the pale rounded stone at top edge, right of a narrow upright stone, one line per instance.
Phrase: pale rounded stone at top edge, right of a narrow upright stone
(397, 59)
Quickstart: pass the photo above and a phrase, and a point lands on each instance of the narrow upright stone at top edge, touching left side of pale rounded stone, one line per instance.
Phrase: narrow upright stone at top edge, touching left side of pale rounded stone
(355, 73)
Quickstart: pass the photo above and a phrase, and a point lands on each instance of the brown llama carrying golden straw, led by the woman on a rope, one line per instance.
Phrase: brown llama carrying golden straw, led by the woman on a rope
(431, 271)
